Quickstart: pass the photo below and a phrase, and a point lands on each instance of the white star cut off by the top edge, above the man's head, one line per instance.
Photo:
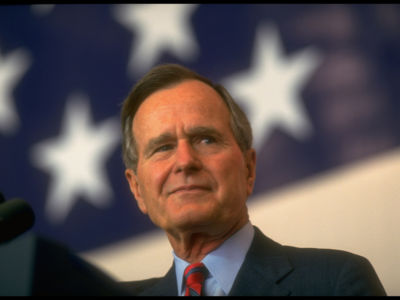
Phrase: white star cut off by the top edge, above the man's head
(157, 28)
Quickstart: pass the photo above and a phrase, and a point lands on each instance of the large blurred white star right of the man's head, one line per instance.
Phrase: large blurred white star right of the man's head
(270, 90)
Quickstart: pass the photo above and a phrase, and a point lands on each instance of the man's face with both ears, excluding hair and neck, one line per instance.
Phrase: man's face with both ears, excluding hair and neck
(191, 173)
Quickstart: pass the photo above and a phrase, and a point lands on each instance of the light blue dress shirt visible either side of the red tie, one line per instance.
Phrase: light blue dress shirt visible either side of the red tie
(224, 262)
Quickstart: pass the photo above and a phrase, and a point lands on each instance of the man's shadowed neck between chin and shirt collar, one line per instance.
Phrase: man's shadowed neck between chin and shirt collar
(193, 246)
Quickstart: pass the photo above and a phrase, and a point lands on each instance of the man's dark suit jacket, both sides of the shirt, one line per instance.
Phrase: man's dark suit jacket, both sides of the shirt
(271, 269)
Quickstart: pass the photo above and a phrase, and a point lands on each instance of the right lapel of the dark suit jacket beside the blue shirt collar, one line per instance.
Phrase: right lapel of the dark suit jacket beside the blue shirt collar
(263, 267)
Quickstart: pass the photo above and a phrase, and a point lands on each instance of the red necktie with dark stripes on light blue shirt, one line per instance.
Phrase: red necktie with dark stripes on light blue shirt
(193, 277)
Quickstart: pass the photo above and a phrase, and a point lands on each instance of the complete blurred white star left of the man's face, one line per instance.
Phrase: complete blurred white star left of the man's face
(76, 160)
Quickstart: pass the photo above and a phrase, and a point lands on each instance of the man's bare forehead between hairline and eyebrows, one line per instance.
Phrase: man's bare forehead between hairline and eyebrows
(187, 102)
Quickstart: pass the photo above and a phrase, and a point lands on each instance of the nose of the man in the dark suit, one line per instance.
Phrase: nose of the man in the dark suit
(187, 159)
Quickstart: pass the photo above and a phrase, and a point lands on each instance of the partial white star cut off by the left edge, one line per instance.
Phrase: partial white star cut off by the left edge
(12, 67)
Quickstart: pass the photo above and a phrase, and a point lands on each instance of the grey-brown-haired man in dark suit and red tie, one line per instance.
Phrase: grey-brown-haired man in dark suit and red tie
(187, 147)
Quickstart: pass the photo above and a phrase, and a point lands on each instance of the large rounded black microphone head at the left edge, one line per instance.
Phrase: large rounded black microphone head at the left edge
(16, 217)
